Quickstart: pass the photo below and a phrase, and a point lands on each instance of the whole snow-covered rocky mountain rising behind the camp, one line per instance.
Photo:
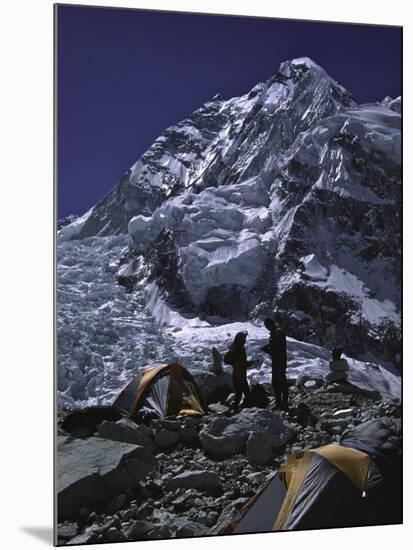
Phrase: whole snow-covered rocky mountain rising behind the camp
(282, 201)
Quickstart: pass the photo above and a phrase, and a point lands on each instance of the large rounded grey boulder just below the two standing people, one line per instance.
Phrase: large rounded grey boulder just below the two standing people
(223, 437)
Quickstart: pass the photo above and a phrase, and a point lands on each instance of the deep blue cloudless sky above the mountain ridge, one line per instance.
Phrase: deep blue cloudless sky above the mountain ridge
(126, 75)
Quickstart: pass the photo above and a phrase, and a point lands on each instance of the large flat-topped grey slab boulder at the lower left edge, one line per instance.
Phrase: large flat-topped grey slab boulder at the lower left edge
(90, 472)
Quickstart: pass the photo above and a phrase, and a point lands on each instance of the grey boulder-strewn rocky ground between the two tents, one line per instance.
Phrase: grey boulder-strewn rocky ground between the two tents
(202, 471)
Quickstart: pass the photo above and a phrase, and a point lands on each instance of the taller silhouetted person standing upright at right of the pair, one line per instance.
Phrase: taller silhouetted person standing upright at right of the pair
(277, 349)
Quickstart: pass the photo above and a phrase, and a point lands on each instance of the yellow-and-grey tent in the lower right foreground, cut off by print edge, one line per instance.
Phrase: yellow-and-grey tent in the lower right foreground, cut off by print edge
(347, 485)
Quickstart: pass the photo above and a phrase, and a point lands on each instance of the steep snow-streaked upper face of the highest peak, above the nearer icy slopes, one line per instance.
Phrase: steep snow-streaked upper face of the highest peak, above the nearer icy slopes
(223, 142)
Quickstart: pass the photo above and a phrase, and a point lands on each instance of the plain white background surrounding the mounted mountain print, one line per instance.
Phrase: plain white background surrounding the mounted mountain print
(27, 270)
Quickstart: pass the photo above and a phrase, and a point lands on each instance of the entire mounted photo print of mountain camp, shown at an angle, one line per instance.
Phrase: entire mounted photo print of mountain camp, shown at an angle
(228, 275)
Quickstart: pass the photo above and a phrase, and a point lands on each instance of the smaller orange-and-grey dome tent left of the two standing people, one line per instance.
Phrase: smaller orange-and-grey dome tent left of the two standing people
(161, 390)
